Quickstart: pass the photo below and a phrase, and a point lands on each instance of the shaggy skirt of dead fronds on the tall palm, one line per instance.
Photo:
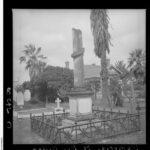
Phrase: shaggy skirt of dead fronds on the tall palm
(99, 26)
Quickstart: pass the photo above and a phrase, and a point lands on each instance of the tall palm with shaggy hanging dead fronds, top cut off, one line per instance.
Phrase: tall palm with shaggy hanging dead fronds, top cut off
(99, 25)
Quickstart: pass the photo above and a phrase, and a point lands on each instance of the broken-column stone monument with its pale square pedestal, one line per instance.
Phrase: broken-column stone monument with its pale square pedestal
(80, 100)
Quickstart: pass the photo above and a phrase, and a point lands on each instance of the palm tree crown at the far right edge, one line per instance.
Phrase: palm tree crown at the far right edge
(136, 63)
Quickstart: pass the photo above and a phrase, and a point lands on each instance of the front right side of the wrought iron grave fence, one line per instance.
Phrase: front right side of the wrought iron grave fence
(81, 133)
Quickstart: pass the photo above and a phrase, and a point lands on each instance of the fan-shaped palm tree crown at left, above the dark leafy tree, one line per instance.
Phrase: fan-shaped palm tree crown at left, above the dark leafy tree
(33, 60)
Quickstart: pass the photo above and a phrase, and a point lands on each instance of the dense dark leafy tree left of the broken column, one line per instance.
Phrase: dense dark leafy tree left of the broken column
(54, 82)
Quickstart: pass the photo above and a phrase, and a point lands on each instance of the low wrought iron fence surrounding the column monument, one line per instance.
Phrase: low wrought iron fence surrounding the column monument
(104, 124)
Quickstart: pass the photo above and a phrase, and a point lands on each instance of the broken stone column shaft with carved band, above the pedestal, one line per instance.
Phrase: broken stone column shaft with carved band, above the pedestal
(77, 56)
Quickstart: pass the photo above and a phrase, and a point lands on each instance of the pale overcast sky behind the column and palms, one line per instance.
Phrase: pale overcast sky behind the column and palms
(52, 30)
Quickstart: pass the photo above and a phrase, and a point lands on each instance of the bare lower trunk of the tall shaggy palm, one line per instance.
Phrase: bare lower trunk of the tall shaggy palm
(104, 78)
